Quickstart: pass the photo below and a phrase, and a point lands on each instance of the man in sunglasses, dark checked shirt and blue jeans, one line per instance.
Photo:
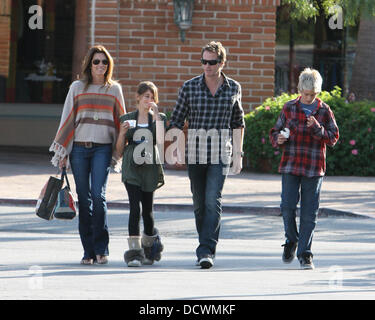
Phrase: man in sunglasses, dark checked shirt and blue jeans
(211, 102)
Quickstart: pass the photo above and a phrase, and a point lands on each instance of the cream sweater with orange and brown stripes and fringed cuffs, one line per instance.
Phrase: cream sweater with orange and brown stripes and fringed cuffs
(90, 116)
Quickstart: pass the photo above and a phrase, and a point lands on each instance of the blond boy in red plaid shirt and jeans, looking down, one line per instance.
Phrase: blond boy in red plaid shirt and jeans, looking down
(304, 128)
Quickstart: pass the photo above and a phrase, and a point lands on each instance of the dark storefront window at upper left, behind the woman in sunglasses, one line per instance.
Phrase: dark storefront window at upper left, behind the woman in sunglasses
(41, 58)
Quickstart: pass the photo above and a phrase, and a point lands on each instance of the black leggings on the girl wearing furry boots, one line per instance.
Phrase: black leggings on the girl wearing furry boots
(137, 197)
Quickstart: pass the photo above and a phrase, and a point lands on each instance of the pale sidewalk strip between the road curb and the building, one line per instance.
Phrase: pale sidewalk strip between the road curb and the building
(23, 175)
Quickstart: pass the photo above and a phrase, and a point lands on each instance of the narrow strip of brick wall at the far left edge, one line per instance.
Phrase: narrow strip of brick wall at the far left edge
(4, 36)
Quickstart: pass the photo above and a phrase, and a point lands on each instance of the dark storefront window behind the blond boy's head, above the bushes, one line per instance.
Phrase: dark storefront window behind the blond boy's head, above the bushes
(301, 44)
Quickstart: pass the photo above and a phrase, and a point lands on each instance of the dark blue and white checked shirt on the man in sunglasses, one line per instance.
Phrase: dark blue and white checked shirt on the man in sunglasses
(211, 118)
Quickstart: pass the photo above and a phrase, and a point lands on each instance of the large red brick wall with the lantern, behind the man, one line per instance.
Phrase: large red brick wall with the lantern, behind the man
(144, 40)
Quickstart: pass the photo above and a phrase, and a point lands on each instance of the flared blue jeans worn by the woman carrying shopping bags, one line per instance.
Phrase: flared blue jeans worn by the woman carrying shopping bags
(90, 167)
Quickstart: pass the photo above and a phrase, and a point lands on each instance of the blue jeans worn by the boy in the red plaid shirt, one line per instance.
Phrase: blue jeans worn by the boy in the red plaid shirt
(309, 207)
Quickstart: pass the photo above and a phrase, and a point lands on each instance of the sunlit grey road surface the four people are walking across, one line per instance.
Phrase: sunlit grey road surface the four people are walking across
(40, 260)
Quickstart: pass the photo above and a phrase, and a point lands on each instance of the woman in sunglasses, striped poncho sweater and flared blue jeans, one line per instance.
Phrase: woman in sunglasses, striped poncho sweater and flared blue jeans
(87, 134)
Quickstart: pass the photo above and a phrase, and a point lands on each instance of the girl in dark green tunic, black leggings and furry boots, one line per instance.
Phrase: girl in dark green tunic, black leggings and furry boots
(142, 172)
